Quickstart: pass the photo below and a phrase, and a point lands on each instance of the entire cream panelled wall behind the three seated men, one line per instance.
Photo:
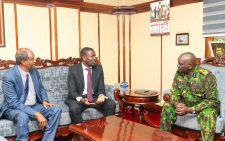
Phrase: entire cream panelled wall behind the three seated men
(34, 32)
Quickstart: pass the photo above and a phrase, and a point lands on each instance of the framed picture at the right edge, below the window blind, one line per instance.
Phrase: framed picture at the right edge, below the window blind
(217, 49)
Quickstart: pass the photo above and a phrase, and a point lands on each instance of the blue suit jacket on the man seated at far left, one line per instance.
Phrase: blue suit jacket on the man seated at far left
(13, 90)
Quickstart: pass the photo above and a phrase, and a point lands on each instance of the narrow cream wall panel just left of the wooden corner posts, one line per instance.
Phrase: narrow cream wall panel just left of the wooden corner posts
(109, 42)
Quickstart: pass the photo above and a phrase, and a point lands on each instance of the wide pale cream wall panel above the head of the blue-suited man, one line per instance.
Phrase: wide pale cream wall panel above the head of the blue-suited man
(33, 29)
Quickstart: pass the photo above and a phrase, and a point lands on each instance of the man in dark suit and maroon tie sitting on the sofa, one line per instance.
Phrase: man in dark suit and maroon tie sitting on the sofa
(86, 87)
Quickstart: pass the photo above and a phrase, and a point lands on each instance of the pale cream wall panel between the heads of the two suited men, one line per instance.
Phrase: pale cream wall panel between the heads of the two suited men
(68, 33)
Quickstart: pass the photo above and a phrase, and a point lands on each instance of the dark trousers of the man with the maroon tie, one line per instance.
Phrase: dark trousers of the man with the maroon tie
(76, 108)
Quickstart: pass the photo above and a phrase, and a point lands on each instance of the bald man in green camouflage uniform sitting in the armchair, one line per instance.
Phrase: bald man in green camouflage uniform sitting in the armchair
(194, 90)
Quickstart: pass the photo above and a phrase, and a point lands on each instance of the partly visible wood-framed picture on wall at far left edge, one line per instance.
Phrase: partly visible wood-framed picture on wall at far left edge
(2, 32)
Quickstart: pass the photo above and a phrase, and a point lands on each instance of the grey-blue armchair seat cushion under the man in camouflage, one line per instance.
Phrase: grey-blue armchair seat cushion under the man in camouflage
(190, 121)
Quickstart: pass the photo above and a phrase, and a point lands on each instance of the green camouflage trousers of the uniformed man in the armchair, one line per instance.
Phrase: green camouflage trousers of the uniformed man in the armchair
(206, 119)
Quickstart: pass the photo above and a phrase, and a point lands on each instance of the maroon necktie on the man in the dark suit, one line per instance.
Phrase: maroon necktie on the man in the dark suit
(89, 85)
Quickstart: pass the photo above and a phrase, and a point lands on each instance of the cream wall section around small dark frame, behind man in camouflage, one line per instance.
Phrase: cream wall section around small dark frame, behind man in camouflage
(182, 21)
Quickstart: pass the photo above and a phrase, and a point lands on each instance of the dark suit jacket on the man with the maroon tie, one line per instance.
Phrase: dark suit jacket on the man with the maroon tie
(76, 81)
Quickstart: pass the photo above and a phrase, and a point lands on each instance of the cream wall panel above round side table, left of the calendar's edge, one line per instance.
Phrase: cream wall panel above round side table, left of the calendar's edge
(145, 54)
